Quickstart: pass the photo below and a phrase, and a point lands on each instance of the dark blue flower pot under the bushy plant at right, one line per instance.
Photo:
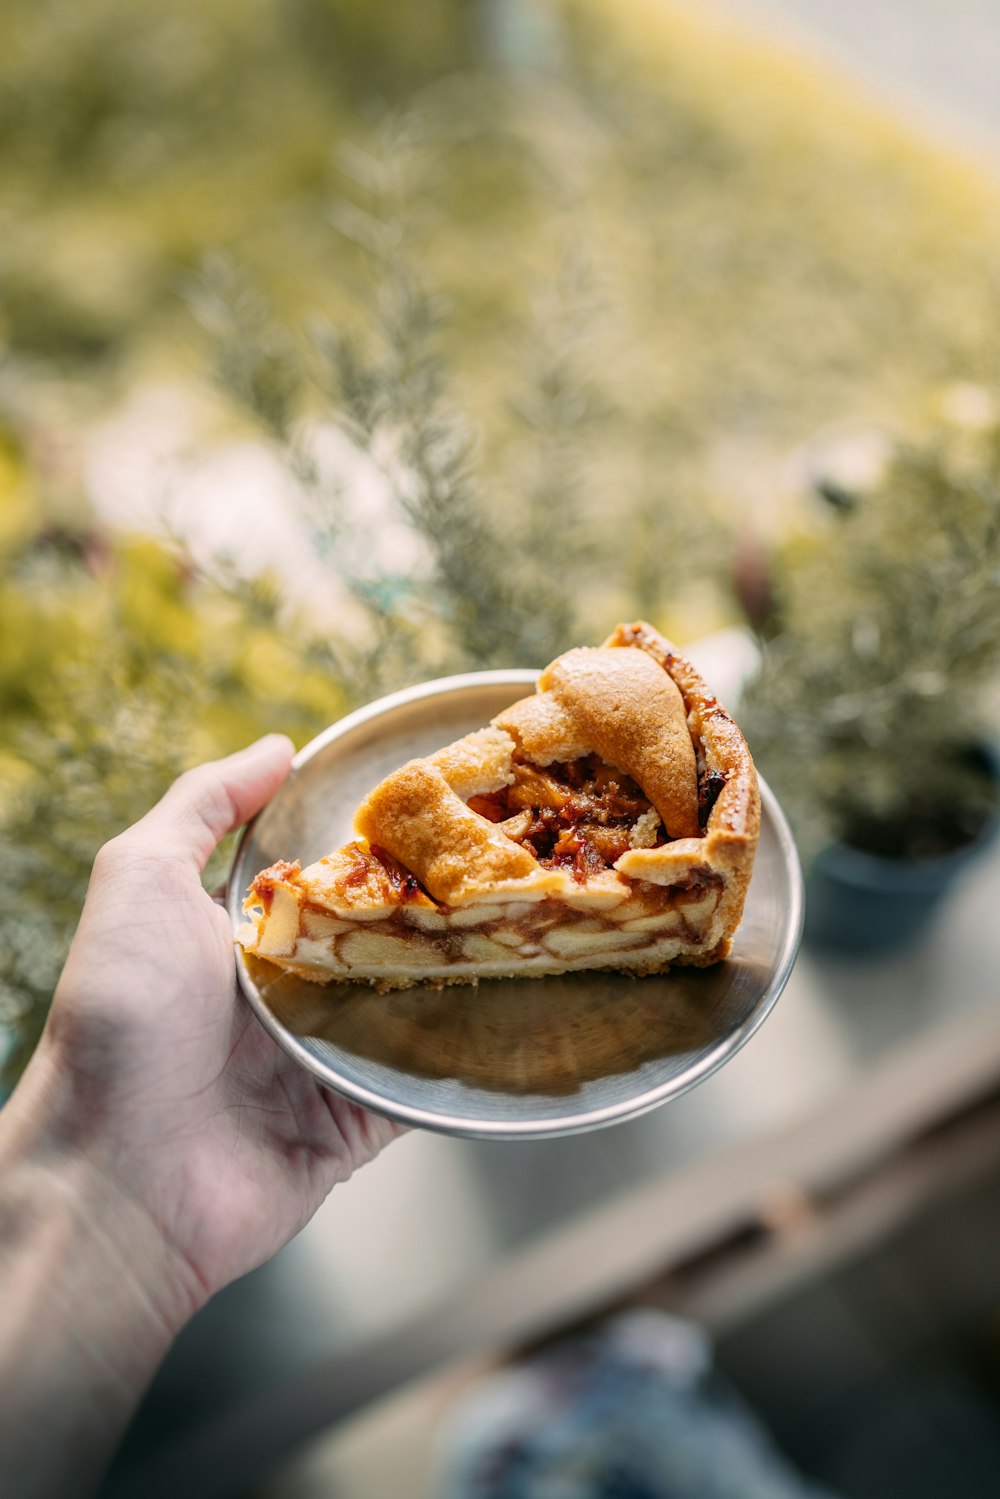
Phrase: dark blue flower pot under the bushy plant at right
(867, 903)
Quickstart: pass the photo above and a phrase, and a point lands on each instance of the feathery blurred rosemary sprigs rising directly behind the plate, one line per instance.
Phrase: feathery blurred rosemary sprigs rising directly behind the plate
(501, 564)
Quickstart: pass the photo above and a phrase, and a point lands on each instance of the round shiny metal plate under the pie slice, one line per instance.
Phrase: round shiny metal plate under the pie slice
(504, 1059)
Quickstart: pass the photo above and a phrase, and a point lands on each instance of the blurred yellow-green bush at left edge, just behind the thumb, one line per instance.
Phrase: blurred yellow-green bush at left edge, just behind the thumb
(119, 671)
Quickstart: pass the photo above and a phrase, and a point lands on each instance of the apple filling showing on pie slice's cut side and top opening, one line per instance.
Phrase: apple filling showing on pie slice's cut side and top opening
(377, 923)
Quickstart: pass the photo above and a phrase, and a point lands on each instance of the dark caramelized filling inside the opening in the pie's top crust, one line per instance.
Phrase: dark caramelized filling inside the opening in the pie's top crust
(576, 815)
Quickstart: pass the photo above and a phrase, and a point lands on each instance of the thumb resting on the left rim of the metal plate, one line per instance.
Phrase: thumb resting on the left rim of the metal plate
(205, 804)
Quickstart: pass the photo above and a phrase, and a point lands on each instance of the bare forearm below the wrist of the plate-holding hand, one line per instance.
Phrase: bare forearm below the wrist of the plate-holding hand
(88, 1306)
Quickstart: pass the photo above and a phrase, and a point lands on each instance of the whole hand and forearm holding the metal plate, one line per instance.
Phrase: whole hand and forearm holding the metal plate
(160, 1143)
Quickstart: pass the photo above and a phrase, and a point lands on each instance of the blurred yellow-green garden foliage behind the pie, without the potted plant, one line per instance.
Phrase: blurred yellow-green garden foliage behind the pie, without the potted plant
(570, 277)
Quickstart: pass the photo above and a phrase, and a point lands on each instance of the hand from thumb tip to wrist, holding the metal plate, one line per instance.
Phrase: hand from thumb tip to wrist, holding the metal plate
(157, 1068)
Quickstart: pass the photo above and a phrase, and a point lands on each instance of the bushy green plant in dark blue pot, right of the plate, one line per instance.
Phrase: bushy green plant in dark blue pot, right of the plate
(876, 704)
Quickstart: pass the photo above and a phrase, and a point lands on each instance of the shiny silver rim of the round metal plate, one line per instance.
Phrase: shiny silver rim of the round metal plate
(457, 1125)
